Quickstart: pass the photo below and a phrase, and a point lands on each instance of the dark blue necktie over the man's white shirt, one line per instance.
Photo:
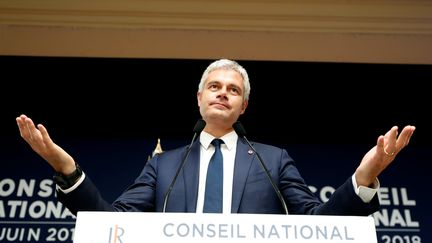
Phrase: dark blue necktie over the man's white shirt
(214, 185)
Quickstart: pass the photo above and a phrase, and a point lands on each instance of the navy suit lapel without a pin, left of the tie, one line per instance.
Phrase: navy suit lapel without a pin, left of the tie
(191, 177)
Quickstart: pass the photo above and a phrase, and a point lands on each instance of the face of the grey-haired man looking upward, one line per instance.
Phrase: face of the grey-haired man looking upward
(221, 100)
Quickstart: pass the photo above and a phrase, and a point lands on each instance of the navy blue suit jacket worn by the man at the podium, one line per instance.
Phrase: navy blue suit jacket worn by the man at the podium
(252, 191)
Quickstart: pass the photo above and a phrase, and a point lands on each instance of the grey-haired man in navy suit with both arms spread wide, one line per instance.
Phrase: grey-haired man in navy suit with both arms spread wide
(222, 96)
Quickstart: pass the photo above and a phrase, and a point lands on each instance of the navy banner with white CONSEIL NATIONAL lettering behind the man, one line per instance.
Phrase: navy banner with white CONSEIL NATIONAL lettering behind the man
(29, 211)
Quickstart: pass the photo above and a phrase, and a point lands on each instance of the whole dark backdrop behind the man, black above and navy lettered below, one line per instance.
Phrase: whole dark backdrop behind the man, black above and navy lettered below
(108, 113)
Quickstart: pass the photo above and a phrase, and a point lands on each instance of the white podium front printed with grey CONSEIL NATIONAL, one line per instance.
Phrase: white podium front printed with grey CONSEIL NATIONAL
(134, 227)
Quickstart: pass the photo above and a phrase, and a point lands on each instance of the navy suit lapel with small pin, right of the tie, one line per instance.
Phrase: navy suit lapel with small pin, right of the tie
(243, 160)
